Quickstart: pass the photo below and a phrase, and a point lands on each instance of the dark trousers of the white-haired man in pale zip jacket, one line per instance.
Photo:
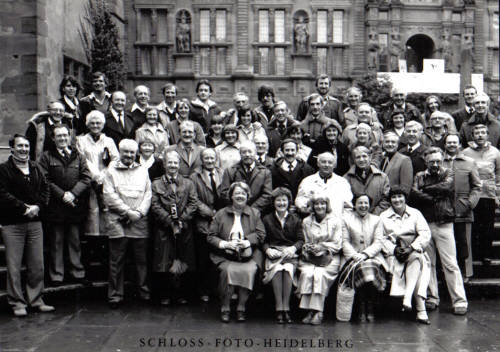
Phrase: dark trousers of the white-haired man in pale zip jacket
(117, 254)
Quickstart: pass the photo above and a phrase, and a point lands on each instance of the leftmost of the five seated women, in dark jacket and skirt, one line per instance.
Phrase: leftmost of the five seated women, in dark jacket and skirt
(236, 234)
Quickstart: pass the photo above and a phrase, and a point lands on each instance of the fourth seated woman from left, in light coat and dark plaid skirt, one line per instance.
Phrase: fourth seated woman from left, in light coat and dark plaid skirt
(362, 235)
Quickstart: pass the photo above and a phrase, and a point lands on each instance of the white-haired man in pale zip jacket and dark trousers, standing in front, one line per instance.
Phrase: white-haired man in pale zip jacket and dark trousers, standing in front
(127, 195)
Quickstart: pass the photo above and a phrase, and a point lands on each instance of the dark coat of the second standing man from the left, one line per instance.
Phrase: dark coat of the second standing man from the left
(71, 175)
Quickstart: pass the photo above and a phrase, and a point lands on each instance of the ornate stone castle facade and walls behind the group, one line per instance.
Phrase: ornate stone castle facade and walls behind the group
(241, 44)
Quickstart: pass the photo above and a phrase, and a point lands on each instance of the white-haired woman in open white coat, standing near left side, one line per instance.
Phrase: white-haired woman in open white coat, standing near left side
(99, 150)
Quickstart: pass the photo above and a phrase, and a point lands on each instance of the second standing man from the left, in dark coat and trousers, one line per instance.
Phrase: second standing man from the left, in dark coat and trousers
(69, 179)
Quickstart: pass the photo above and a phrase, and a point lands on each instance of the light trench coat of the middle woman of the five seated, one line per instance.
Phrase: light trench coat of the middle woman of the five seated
(328, 233)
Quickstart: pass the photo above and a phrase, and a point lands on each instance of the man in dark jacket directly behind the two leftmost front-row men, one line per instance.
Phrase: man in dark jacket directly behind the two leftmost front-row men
(41, 126)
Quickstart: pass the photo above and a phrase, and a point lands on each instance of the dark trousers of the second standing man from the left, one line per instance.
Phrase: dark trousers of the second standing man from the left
(63, 235)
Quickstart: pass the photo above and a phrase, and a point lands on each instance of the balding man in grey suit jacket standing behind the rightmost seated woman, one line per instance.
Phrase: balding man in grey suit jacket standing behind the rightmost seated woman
(395, 165)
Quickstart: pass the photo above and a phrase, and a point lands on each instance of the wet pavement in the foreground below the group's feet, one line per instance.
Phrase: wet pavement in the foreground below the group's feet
(85, 323)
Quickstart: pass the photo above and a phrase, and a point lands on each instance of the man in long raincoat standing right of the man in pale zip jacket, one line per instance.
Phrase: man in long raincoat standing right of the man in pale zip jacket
(173, 204)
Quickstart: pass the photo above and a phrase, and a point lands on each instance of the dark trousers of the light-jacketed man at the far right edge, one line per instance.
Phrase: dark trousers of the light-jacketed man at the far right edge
(483, 229)
